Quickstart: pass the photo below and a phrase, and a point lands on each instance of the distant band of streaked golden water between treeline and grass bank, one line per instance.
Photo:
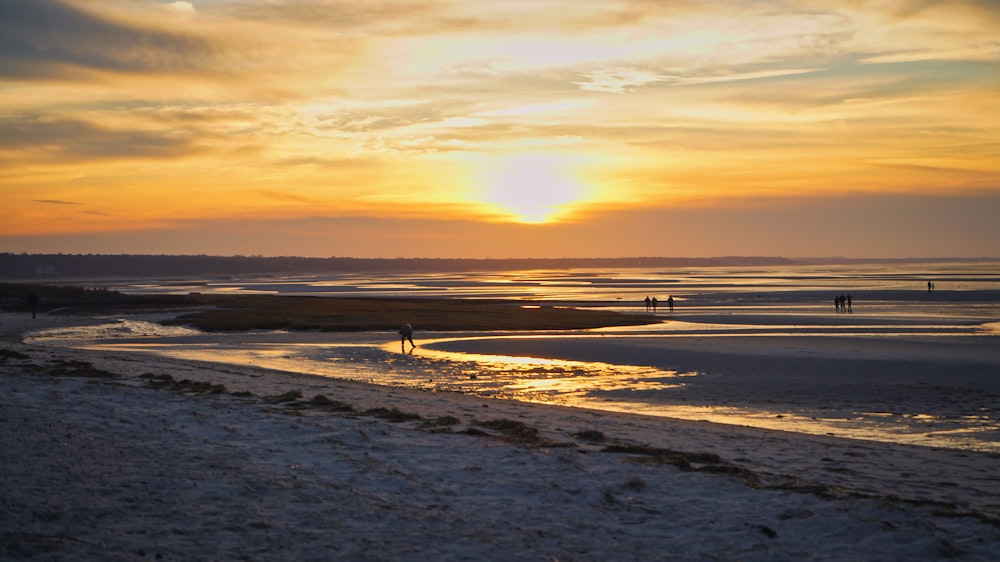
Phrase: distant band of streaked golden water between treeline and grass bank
(630, 286)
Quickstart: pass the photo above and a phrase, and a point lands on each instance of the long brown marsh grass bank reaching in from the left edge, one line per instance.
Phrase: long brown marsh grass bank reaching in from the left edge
(231, 313)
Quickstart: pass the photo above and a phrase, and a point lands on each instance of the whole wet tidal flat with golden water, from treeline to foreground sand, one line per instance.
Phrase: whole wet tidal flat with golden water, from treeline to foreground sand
(744, 346)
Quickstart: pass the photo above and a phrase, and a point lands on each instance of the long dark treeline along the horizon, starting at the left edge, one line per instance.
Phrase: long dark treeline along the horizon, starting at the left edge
(49, 266)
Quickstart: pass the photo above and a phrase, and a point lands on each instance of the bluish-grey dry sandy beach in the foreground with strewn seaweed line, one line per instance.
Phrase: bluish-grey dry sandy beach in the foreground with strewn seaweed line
(113, 456)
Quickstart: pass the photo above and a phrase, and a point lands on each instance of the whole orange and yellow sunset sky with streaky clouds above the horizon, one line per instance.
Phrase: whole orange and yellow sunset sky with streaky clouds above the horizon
(496, 129)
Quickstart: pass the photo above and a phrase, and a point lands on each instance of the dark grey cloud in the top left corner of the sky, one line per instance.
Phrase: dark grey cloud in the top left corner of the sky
(52, 39)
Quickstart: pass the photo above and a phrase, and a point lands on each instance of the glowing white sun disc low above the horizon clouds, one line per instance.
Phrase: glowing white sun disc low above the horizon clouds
(533, 188)
